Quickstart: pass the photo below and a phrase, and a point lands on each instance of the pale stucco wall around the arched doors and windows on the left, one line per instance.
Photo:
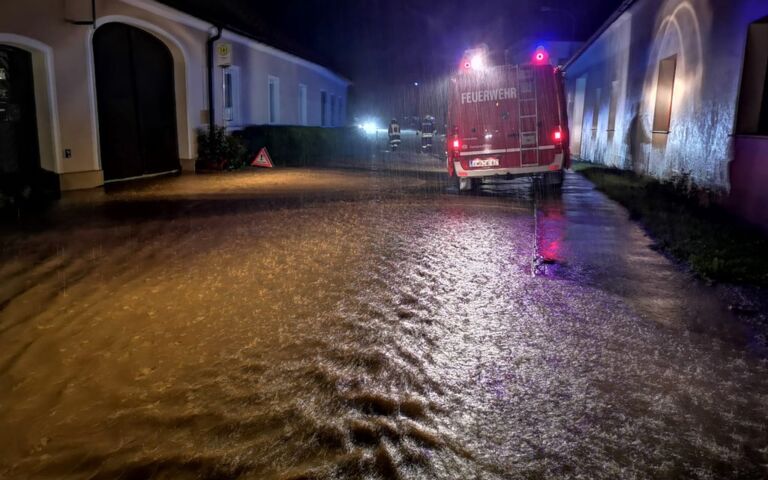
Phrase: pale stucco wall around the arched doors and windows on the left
(71, 118)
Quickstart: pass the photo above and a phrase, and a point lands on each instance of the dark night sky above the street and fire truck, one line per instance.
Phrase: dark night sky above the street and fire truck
(381, 43)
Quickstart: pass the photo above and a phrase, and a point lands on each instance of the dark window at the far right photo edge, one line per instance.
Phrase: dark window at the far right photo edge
(752, 117)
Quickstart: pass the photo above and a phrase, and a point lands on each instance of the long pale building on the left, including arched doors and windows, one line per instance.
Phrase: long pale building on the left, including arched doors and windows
(120, 87)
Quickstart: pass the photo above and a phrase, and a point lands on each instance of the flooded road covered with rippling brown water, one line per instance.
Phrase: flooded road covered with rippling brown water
(340, 324)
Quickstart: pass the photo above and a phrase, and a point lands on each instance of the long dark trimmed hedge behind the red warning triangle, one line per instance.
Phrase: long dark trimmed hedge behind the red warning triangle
(304, 146)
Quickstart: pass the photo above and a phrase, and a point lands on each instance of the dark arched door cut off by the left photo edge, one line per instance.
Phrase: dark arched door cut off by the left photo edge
(19, 148)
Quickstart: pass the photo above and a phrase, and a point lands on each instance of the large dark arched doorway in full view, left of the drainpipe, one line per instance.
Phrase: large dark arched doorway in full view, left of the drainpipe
(137, 106)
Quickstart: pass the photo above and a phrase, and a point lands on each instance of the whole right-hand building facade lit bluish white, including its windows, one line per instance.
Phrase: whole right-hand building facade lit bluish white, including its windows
(678, 87)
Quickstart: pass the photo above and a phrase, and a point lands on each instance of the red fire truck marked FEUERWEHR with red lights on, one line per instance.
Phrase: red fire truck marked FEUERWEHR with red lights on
(506, 121)
